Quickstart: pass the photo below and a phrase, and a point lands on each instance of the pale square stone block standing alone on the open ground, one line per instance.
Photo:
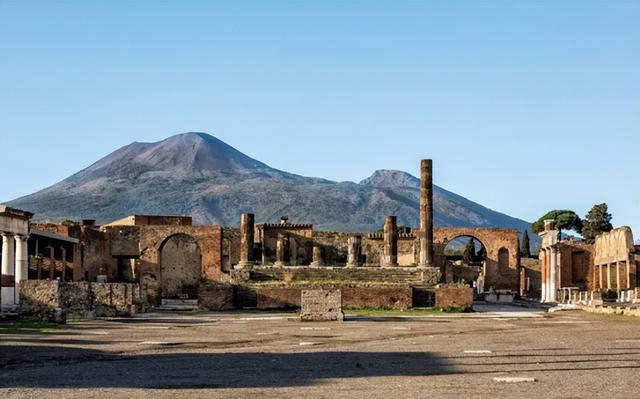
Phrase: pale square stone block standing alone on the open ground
(321, 305)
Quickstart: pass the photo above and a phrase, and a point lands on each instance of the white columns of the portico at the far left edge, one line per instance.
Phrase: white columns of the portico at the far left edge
(14, 268)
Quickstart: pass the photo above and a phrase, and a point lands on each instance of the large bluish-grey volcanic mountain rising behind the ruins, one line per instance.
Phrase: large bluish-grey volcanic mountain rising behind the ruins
(197, 174)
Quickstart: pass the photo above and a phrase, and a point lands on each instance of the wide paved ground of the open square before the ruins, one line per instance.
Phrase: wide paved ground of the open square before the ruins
(262, 355)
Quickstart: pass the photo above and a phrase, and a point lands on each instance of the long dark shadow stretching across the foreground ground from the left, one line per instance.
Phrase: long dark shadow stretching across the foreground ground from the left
(91, 368)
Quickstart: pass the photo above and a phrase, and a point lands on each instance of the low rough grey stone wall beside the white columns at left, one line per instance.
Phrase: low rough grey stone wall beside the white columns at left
(56, 301)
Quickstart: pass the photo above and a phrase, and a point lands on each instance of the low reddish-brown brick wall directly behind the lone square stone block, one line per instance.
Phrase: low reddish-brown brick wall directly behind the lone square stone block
(352, 297)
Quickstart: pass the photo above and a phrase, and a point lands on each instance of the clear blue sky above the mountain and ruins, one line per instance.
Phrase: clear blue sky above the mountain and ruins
(525, 106)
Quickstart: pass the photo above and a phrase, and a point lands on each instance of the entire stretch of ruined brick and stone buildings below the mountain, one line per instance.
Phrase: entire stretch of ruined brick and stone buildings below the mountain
(268, 265)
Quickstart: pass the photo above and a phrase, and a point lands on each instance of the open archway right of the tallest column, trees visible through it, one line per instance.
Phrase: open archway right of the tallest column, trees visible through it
(466, 259)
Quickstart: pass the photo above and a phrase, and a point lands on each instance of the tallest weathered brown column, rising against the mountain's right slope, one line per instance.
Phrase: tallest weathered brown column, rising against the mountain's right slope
(426, 213)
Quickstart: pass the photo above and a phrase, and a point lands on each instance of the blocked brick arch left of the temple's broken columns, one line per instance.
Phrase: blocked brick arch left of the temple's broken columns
(180, 267)
